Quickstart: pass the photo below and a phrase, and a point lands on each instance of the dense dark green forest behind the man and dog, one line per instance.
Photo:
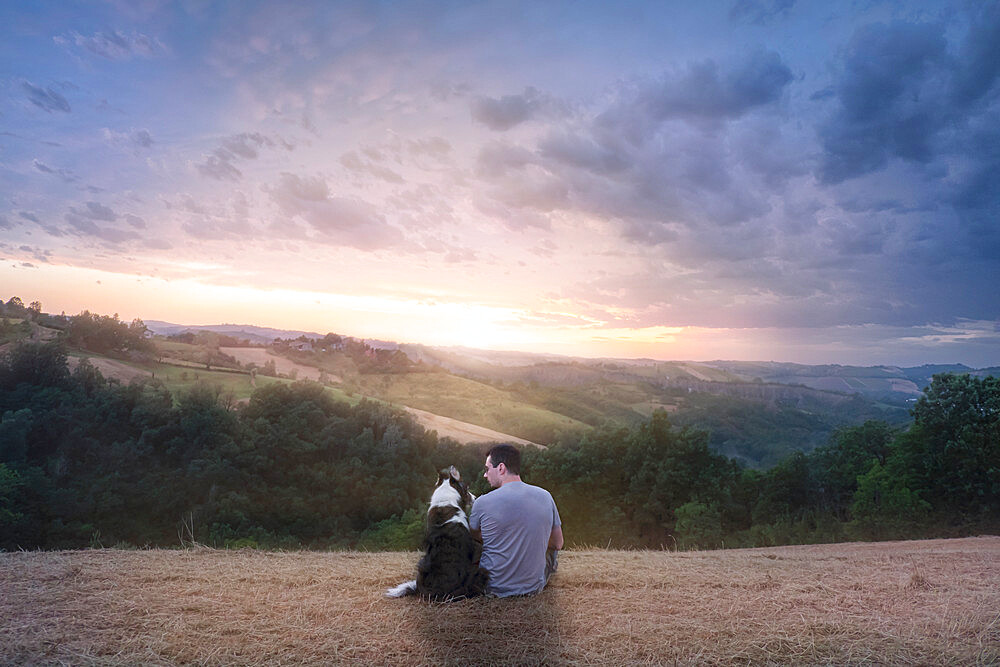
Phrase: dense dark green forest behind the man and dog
(86, 461)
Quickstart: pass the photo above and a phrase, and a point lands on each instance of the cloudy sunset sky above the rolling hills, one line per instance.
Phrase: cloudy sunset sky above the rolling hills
(781, 180)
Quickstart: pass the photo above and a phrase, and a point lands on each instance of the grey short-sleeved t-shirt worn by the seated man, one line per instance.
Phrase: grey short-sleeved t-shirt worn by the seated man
(516, 521)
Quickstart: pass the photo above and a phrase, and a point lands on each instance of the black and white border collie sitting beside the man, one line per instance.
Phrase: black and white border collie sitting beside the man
(449, 568)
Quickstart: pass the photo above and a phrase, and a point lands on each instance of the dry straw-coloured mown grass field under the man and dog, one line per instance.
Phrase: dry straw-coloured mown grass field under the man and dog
(934, 602)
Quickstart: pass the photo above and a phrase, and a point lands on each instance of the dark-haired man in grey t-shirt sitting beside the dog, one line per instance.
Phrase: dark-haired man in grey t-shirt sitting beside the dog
(518, 525)
